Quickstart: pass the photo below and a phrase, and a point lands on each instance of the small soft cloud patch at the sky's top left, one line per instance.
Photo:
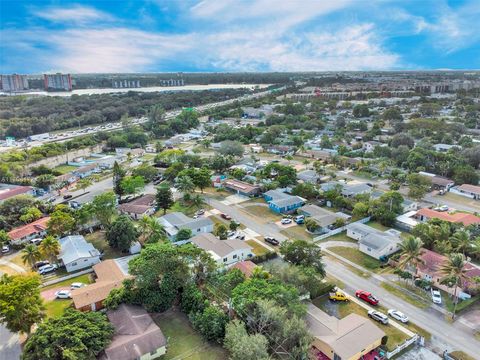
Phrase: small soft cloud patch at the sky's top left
(77, 14)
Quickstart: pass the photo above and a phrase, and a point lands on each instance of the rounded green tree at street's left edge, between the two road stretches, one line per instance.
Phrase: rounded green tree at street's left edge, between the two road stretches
(303, 253)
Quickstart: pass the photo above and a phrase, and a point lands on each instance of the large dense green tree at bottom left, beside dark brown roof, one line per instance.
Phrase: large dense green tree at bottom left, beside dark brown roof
(74, 335)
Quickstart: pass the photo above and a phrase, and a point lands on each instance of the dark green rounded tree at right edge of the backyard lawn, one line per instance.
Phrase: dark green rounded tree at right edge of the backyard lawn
(210, 323)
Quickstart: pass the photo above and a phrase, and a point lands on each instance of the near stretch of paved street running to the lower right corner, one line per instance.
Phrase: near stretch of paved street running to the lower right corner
(457, 335)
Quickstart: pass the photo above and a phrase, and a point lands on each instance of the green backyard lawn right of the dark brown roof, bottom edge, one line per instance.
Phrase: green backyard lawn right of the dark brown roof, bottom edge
(183, 341)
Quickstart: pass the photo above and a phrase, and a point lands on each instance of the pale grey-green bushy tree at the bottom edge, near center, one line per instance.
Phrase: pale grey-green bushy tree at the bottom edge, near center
(243, 346)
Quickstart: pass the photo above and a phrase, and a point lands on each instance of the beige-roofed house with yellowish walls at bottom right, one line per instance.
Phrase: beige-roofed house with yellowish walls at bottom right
(348, 339)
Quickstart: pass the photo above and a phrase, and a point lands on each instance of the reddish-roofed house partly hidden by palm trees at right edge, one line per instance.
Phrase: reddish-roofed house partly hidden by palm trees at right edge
(430, 269)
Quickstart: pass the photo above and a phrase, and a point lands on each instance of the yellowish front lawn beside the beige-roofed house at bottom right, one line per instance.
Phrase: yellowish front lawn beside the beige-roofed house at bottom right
(342, 309)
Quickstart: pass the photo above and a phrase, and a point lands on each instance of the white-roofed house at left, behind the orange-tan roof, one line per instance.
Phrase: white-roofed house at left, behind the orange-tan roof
(76, 253)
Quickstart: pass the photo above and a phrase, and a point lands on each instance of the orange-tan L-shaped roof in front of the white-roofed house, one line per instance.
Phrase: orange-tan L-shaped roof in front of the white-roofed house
(109, 276)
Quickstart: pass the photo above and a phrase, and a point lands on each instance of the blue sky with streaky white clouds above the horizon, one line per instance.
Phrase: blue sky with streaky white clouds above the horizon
(233, 35)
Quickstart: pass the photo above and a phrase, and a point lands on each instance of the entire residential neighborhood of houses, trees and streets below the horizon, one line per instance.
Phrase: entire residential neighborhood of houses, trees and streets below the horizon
(314, 216)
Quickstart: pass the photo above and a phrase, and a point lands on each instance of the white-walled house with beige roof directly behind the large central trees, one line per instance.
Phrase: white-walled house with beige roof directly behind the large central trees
(224, 252)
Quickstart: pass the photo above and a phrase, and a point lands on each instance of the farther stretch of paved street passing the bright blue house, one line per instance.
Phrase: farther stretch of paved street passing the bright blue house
(236, 213)
